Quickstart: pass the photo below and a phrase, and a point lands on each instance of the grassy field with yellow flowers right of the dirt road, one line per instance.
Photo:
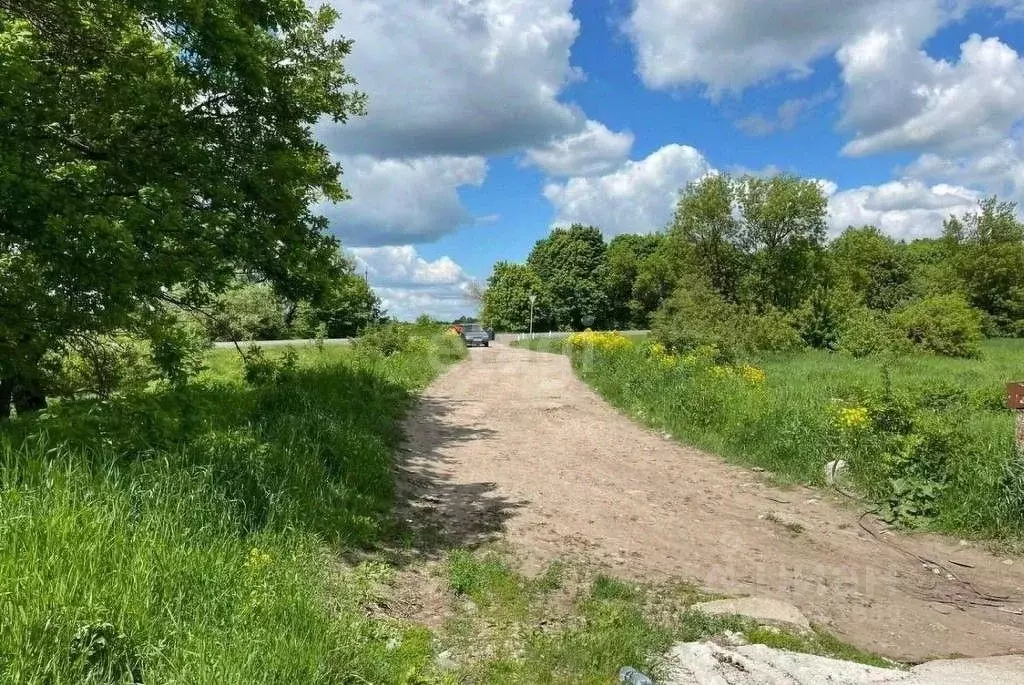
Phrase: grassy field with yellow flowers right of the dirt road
(927, 439)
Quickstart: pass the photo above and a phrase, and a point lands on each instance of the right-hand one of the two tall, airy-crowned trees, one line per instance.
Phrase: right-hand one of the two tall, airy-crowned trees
(783, 230)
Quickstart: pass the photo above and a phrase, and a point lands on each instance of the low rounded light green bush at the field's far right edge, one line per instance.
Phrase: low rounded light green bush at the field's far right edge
(944, 325)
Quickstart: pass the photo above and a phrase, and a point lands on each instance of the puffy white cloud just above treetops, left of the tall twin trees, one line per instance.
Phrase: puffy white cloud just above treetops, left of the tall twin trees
(637, 198)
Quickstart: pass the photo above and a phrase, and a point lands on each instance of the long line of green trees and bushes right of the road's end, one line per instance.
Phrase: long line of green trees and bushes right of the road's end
(746, 263)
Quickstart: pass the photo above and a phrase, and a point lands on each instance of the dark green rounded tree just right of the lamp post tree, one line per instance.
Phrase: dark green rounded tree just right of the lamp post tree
(571, 265)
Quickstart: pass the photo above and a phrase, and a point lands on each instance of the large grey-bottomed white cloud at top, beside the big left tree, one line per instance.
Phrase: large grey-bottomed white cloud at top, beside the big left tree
(457, 77)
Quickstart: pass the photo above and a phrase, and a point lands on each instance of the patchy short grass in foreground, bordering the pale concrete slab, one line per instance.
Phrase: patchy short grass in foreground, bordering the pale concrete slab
(588, 627)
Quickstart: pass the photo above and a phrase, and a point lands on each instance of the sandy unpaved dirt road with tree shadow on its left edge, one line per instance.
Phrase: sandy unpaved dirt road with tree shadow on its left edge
(511, 446)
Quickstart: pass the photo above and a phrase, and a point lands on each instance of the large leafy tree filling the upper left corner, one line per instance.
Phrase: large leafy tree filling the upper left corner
(151, 145)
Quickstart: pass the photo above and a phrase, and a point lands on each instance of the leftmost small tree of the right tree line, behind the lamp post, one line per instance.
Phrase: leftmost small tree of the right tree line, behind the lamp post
(506, 302)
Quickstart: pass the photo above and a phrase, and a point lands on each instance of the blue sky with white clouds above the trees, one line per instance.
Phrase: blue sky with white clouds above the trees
(490, 121)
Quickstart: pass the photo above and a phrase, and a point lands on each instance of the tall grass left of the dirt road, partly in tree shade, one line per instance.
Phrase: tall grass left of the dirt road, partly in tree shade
(189, 536)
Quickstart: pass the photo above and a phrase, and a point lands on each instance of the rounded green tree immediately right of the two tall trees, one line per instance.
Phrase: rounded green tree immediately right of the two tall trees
(874, 266)
